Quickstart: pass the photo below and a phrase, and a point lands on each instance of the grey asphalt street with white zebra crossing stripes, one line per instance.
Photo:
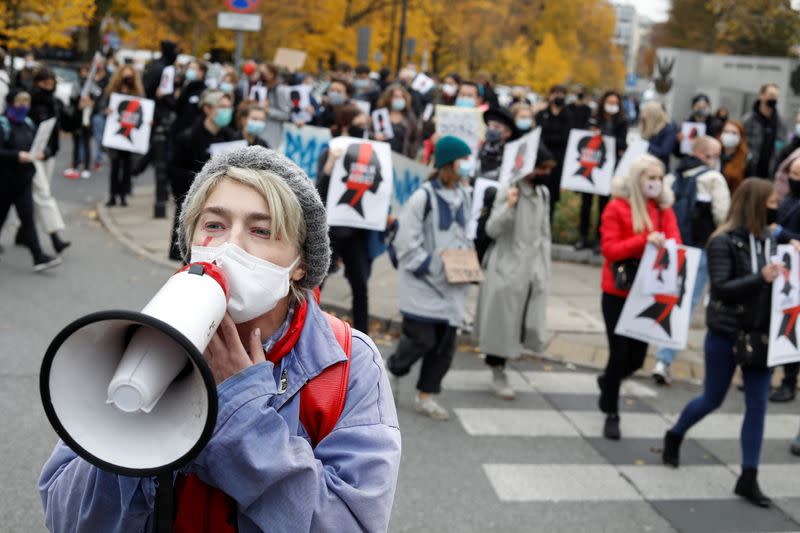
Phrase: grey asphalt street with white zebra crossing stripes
(538, 463)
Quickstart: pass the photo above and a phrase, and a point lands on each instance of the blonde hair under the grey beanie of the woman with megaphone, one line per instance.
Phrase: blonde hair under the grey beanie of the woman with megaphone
(286, 215)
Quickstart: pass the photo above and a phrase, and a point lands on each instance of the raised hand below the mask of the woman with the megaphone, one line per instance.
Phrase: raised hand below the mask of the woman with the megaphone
(226, 355)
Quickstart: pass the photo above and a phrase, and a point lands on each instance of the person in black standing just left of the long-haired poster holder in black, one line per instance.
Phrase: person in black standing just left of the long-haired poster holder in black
(556, 122)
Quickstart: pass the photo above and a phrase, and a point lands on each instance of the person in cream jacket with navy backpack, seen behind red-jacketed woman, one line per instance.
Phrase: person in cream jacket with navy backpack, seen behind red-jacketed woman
(702, 200)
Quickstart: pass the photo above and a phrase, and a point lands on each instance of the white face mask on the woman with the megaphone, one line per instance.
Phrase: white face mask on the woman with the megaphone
(256, 285)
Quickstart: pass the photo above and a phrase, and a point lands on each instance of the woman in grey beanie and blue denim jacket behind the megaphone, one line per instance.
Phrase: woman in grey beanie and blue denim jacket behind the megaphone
(267, 465)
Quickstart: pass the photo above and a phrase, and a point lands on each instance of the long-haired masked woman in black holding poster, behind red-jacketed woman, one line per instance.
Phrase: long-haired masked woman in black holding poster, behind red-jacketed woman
(611, 121)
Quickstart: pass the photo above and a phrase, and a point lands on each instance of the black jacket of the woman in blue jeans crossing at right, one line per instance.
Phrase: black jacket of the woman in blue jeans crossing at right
(740, 299)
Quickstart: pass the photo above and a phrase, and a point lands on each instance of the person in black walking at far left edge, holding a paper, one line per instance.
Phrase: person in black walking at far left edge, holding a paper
(17, 173)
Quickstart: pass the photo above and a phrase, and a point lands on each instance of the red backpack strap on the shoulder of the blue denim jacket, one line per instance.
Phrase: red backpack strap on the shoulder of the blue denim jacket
(322, 399)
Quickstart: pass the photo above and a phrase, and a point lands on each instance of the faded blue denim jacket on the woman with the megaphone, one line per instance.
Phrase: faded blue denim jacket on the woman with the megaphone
(260, 454)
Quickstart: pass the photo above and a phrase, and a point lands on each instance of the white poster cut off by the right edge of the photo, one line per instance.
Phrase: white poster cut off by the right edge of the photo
(783, 324)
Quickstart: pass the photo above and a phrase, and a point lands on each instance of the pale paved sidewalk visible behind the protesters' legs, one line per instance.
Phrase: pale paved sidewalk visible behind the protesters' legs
(574, 318)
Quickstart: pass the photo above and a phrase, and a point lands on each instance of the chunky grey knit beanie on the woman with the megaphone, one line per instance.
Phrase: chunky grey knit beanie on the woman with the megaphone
(316, 248)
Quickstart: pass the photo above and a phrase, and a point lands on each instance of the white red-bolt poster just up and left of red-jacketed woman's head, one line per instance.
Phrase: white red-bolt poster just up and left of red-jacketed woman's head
(589, 162)
